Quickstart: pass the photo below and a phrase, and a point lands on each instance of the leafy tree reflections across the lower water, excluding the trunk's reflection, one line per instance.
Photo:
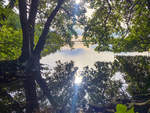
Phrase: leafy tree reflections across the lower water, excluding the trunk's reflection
(98, 92)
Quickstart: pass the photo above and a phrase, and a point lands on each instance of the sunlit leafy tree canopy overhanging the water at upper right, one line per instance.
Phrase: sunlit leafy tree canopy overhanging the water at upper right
(119, 25)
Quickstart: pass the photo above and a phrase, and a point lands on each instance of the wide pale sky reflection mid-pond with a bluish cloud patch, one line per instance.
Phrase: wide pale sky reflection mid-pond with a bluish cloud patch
(81, 55)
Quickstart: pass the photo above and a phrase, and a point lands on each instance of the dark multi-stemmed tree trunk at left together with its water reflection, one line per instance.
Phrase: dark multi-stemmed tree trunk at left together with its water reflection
(30, 56)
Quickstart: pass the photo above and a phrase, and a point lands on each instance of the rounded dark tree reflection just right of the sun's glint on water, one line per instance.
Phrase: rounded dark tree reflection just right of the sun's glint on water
(100, 88)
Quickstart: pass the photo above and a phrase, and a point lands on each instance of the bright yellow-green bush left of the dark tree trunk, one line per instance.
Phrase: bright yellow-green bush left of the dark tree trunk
(10, 42)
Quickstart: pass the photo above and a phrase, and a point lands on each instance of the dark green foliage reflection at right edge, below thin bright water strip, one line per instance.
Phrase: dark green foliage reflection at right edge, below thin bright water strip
(137, 78)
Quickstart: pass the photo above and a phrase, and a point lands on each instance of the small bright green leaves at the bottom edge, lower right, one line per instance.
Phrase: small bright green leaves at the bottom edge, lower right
(120, 108)
